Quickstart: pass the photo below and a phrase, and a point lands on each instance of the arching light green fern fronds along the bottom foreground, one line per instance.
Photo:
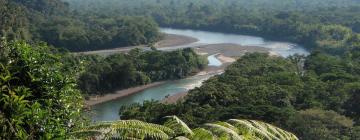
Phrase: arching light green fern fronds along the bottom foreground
(174, 128)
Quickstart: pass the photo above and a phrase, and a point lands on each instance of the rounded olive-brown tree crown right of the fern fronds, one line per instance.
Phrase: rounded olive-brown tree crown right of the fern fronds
(315, 124)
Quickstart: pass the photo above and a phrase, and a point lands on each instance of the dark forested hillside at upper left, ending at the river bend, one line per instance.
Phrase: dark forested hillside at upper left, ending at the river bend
(51, 21)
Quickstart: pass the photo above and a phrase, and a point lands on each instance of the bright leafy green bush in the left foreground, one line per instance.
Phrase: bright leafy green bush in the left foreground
(39, 99)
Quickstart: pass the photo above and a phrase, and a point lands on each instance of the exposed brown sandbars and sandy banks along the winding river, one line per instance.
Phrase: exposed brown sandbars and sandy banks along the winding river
(226, 53)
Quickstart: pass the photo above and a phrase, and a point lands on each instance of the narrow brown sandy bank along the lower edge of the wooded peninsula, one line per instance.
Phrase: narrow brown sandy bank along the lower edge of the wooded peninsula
(120, 94)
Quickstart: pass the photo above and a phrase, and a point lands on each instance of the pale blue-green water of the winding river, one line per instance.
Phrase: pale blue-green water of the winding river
(109, 110)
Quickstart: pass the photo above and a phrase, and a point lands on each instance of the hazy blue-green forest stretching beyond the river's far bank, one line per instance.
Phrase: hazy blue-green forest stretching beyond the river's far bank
(315, 24)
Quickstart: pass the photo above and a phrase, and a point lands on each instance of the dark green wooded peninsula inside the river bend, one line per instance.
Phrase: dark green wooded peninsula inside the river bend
(138, 67)
